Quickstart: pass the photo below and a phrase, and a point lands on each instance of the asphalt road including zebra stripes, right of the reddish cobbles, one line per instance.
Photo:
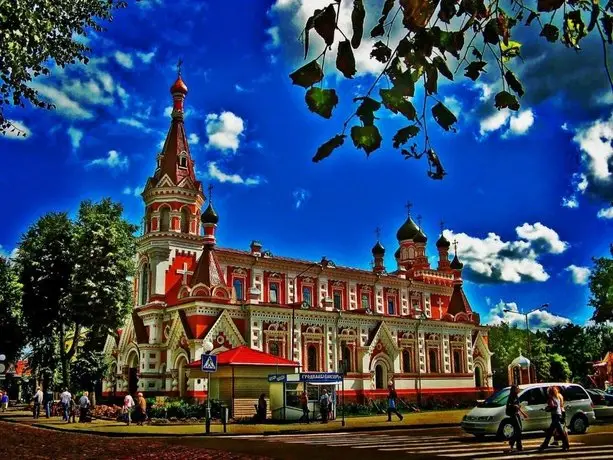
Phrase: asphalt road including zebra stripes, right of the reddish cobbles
(448, 443)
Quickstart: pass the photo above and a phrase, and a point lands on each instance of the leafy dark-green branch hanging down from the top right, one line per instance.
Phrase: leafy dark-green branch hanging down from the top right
(472, 35)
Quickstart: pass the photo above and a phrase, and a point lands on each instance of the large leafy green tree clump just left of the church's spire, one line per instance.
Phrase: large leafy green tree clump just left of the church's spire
(76, 278)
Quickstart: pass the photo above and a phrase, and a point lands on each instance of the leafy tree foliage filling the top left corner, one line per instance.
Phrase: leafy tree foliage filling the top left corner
(38, 32)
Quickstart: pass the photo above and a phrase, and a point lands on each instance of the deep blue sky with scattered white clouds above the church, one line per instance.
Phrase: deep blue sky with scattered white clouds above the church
(527, 196)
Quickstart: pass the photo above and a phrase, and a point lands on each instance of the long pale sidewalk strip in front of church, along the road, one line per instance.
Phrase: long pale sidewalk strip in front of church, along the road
(434, 419)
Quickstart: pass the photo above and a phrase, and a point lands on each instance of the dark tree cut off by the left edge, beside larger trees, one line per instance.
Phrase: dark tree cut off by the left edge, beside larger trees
(12, 334)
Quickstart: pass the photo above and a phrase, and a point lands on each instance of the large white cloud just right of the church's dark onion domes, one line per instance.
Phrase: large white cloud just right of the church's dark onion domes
(492, 260)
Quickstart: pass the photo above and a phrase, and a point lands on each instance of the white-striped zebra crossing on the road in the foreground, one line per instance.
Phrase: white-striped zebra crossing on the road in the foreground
(459, 447)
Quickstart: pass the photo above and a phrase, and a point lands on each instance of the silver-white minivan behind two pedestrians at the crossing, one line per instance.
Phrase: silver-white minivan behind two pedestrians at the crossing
(489, 417)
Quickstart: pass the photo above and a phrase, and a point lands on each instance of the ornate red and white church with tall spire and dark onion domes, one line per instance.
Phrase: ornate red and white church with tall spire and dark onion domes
(411, 324)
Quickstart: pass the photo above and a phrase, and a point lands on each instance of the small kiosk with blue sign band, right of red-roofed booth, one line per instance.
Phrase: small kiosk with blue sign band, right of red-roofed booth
(285, 391)
